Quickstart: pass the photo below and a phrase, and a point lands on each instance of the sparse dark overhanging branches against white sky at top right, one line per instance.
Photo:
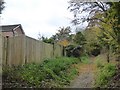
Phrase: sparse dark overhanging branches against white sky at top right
(79, 8)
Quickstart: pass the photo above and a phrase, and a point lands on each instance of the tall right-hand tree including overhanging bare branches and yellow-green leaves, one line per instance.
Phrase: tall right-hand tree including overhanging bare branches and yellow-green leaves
(104, 15)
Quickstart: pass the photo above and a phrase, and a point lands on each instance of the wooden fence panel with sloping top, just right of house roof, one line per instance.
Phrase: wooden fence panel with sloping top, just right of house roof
(33, 50)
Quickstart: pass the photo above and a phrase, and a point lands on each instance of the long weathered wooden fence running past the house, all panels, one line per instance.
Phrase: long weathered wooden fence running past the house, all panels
(23, 49)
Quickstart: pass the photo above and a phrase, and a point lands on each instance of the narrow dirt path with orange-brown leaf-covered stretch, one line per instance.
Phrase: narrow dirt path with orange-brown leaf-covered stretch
(86, 76)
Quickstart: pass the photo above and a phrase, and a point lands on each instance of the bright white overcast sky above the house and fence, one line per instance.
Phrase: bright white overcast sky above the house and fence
(37, 16)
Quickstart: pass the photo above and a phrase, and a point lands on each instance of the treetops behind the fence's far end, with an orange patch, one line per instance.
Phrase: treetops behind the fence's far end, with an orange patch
(62, 37)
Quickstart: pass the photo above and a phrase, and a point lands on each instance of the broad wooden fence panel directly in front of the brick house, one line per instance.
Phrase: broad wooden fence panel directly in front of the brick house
(15, 50)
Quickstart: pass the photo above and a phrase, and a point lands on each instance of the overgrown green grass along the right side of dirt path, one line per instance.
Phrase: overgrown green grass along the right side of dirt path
(105, 72)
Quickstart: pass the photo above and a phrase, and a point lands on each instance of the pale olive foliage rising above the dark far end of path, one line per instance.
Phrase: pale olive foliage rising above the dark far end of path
(92, 45)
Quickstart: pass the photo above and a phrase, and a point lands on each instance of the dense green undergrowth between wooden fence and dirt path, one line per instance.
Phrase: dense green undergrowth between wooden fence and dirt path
(51, 73)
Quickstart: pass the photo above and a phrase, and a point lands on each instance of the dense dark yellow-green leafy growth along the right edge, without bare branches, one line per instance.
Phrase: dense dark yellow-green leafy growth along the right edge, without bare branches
(111, 29)
